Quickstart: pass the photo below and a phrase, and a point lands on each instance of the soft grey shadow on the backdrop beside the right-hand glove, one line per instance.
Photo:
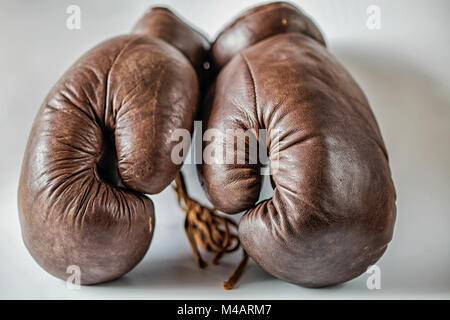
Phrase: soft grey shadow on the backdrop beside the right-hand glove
(413, 111)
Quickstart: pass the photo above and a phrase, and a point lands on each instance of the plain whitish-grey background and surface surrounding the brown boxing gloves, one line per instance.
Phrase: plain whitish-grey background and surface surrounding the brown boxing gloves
(403, 68)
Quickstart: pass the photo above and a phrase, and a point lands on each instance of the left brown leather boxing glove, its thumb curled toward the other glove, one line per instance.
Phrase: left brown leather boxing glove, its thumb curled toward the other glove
(101, 139)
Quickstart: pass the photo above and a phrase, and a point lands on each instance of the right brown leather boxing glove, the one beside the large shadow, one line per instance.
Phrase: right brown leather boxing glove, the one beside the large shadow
(333, 208)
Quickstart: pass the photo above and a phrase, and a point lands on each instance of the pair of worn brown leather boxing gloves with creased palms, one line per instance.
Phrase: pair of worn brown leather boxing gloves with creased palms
(102, 139)
